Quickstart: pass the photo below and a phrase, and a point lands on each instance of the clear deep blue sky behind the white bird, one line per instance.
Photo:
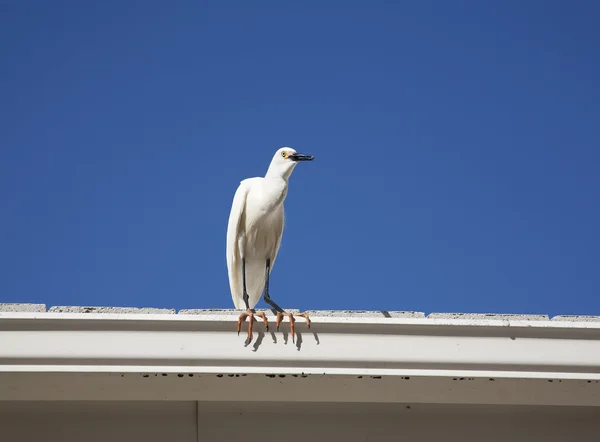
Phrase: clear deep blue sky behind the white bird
(457, 151)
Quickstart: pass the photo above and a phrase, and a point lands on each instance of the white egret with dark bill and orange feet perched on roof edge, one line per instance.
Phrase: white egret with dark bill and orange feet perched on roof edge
(254, 233)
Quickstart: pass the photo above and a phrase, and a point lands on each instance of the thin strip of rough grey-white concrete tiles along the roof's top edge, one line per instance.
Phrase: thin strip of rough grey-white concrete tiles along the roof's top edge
(40, 308)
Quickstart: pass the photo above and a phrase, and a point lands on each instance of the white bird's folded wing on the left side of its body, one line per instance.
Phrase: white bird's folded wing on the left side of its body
(235, 229)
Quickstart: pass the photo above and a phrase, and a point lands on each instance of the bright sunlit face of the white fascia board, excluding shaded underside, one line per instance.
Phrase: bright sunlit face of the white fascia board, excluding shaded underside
(210, 344)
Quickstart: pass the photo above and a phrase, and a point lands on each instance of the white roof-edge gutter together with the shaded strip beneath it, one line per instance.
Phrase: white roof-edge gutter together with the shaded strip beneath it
(366, 359)
